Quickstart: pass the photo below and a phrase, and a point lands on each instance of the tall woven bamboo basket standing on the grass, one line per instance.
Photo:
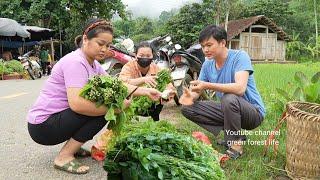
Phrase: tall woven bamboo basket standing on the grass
(303, 140)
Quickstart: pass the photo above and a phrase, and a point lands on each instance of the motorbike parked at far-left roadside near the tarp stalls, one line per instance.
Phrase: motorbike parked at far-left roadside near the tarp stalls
(31, 66)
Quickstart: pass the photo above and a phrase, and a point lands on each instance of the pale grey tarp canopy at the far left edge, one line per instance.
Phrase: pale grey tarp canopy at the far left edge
(10, 27)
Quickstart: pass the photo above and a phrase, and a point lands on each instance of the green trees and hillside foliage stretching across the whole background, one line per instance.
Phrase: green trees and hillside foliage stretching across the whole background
(184, 24)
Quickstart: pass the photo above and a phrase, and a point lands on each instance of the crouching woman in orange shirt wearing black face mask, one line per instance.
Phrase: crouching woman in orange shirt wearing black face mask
(142, 71)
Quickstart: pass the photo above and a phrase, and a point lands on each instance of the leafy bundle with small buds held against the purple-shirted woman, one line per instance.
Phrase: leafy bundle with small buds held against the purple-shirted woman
(110, 92)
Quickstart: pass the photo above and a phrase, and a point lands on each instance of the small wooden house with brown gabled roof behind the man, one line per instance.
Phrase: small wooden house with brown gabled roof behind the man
(259, 36)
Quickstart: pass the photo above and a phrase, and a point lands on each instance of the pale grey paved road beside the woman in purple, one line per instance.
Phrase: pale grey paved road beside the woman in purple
(20, 157)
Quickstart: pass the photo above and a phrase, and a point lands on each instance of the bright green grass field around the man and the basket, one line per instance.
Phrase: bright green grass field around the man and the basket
(252, 165)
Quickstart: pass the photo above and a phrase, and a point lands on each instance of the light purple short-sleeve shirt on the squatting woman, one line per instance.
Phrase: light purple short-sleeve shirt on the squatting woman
(71, 71)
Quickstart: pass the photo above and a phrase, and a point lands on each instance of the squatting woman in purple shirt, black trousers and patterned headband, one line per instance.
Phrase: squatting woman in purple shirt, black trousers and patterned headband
(60, 114)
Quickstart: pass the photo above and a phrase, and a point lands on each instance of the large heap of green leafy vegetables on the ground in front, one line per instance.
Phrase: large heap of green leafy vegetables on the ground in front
(155, 150)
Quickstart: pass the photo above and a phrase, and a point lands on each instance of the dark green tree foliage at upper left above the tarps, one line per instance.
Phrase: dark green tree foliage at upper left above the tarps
(68, 16)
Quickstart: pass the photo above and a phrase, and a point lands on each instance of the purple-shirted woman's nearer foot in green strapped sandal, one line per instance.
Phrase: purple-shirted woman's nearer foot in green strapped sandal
(70, 164)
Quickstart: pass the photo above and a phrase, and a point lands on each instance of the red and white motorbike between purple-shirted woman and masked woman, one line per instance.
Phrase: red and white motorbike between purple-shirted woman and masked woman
(116, 59)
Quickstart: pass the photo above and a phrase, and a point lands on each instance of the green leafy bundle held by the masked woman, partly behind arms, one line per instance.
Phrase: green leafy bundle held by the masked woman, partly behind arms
(142, 104)
